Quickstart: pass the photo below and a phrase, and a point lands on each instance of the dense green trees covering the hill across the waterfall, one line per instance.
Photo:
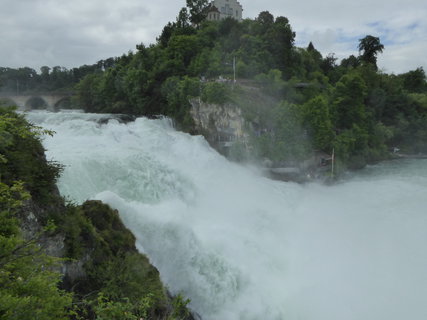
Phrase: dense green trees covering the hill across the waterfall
(311, 103)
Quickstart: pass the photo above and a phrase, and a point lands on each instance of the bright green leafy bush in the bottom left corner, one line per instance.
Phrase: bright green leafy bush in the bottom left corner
(28, 286)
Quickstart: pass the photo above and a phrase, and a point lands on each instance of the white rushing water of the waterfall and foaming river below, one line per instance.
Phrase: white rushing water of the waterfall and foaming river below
(241, 246)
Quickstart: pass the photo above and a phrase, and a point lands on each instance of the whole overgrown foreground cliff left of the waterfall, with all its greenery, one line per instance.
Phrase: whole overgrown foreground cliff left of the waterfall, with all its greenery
(105, 277)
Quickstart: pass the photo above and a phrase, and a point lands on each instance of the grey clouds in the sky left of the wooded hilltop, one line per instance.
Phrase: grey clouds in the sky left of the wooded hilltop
(69, 33)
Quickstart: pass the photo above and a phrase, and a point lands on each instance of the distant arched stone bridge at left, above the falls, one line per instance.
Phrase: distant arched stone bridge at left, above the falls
(37, 101)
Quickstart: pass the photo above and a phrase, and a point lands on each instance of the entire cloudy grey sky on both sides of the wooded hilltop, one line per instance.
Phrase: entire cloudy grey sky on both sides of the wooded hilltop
(71, 33)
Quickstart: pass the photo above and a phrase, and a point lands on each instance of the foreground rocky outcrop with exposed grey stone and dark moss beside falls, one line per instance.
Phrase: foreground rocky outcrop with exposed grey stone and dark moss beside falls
(98, 252)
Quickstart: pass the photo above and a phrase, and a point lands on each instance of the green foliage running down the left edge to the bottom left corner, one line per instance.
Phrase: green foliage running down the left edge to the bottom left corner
(28, 286)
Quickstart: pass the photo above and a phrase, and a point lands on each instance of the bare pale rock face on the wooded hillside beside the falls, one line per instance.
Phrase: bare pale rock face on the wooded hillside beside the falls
(221, 125)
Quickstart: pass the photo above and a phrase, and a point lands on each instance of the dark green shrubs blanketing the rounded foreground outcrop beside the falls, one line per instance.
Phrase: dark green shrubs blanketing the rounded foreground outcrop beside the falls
(118, 282)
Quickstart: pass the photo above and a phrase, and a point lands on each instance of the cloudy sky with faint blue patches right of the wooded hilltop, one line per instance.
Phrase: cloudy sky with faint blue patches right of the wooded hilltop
(329, 23)
